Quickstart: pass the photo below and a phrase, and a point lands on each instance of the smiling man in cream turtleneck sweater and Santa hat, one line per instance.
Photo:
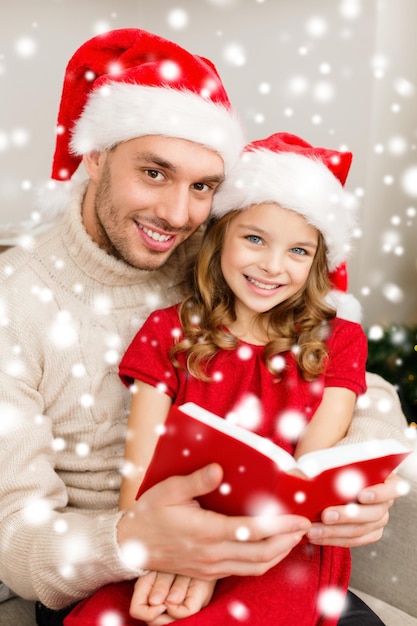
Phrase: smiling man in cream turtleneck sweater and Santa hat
(156, 134)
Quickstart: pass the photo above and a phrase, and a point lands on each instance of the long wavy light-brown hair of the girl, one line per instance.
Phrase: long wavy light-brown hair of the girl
(299, 324)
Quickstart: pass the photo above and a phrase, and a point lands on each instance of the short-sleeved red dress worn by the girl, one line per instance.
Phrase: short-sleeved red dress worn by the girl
(289, 593)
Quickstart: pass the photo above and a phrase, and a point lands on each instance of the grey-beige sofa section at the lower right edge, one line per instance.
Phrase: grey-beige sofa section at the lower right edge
(387, 569)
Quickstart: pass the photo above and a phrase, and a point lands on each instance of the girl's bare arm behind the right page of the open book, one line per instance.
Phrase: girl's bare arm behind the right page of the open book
(329, 423)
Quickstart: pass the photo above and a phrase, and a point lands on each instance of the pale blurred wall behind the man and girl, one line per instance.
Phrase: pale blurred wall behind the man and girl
(340, 73)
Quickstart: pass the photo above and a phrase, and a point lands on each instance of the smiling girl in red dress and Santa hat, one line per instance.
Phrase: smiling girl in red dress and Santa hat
(259, 322)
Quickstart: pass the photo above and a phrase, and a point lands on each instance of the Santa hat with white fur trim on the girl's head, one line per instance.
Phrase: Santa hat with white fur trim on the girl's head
(285, 169)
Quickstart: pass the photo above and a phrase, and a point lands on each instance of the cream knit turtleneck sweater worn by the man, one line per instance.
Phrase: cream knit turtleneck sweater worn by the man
(68, 311)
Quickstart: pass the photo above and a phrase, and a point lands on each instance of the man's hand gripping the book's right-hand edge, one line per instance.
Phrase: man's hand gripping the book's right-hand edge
(359, 524)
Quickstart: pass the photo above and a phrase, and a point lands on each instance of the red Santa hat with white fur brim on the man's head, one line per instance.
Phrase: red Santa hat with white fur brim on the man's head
(129, 83)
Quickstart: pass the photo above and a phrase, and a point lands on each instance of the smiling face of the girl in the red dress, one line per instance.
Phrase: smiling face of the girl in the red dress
(266, 258)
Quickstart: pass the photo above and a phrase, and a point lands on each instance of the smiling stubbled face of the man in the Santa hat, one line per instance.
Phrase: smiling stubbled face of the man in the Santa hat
(149, 195)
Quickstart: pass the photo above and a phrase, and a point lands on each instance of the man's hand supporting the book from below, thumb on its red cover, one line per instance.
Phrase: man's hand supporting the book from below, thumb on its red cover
(177, 536)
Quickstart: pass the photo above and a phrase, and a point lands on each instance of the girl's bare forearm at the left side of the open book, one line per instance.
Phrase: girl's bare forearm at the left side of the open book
(148, 412)
